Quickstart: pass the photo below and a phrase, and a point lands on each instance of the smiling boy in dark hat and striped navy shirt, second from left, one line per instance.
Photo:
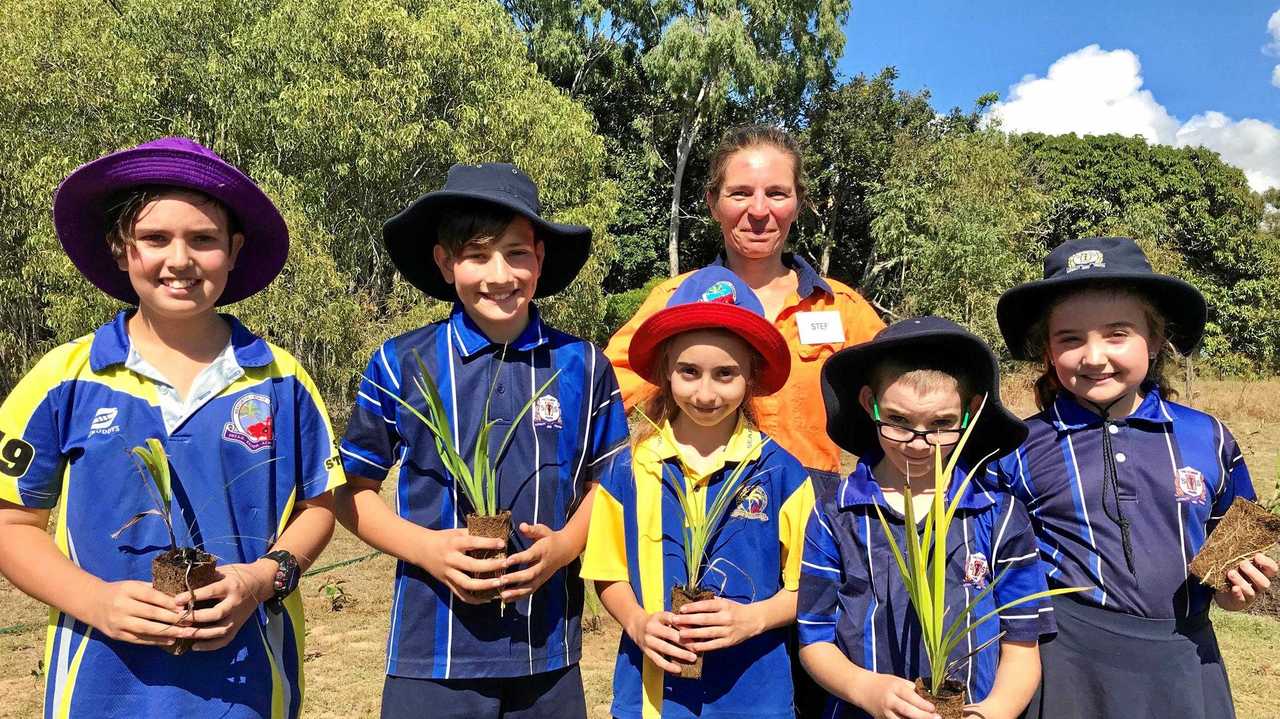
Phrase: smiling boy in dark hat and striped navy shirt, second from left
(483, 245)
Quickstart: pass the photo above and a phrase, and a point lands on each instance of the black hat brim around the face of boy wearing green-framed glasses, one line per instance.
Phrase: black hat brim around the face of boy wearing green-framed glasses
(848, 372)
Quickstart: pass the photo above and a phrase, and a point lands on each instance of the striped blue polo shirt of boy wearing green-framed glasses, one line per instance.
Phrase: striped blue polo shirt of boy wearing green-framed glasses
(852, 590)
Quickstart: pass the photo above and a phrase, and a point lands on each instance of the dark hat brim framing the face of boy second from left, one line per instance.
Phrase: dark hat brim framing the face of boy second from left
(412, 237)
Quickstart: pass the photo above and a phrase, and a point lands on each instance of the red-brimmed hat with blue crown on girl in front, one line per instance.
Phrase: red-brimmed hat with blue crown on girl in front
(714, 299)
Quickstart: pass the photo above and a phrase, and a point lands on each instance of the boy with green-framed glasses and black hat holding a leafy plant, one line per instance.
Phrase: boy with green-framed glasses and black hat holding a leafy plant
(894, 402)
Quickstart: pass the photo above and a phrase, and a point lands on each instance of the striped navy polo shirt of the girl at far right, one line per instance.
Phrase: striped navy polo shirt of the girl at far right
(1178, 471)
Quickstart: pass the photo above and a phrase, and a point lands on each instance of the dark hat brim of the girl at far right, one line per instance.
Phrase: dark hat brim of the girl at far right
(1180, 303)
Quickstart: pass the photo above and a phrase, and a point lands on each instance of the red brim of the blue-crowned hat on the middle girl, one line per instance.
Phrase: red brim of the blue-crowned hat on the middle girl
(756, 331)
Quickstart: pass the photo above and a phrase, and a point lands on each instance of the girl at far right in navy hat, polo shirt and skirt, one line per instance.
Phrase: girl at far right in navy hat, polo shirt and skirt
(1124, 487)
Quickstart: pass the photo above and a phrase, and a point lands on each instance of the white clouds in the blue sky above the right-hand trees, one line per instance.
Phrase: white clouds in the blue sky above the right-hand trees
(1095, 91)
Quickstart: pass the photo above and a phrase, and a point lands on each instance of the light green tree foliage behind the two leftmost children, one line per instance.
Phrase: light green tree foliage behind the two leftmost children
(344, 111)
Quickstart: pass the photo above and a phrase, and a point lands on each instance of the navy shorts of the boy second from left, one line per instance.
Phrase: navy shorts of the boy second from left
(551, 695)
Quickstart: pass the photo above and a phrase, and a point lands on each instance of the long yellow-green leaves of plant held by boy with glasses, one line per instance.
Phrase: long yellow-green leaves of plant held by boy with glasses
(924, 567)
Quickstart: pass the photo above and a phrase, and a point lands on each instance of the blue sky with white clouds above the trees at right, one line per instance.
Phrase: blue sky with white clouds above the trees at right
(1180, 74)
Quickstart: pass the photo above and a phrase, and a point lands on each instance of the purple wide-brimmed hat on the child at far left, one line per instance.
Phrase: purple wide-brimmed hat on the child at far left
(80, 213)
